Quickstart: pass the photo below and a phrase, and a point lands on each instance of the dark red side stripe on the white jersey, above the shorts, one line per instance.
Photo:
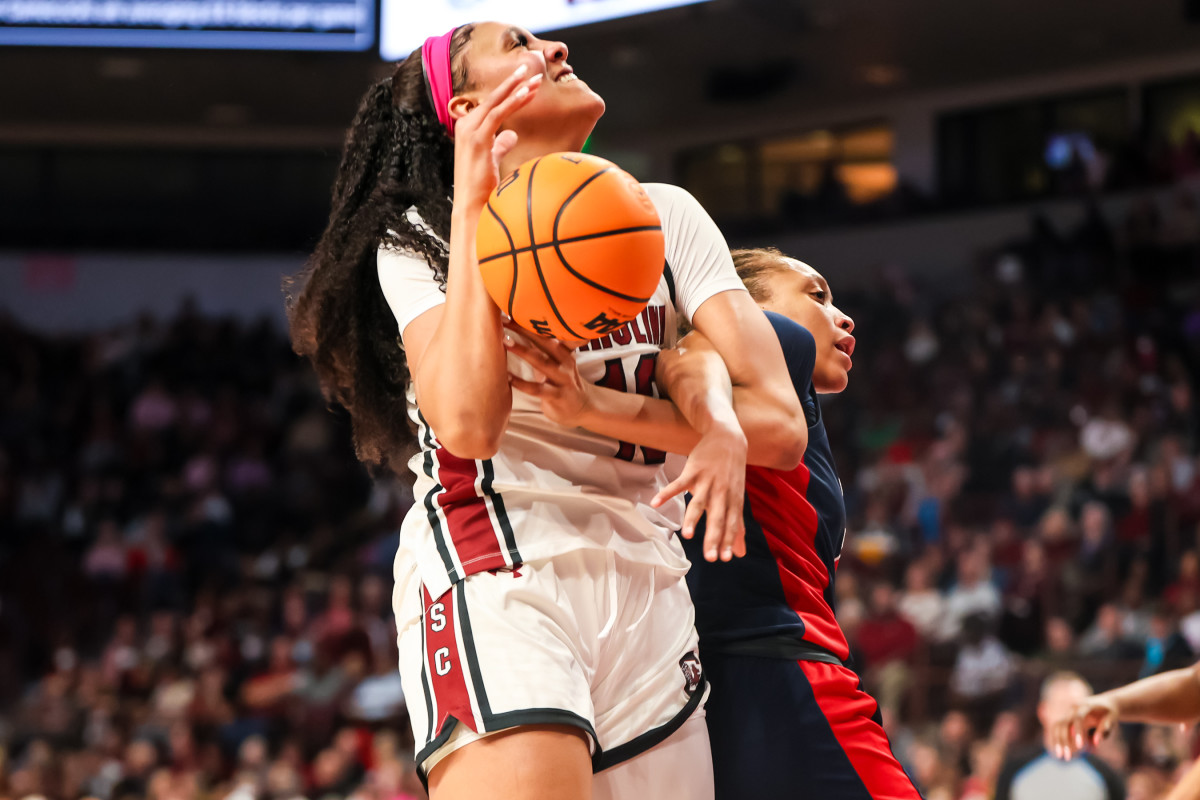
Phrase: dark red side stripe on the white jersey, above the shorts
(469, 525)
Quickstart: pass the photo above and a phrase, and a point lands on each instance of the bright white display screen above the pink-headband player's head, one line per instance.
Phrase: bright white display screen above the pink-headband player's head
(405, 25)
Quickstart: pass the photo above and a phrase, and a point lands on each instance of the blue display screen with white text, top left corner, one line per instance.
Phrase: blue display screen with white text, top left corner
(215, 25)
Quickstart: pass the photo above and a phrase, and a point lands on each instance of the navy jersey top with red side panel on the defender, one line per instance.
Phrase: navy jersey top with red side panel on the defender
(781, 594)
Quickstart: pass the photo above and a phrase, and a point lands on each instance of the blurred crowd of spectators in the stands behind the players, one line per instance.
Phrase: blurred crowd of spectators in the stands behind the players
(195, 572)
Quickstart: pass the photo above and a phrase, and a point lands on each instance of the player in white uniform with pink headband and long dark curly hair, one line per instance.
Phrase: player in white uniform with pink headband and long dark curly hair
(545, 628)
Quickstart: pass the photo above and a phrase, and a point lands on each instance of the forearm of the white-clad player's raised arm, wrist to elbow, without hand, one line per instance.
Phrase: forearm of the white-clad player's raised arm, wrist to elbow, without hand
(463, 378)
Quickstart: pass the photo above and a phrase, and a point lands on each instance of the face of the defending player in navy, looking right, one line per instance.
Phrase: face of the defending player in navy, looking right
(802, 294)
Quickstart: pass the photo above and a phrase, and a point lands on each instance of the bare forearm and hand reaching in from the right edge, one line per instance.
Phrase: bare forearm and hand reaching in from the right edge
(1173, 697)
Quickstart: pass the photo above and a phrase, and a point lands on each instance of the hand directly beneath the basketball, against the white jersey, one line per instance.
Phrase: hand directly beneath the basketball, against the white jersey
(563, 393)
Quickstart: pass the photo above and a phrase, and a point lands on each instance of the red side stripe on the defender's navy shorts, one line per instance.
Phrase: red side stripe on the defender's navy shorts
(850, 713)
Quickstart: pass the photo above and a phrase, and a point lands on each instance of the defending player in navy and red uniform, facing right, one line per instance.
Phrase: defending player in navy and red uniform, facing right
(788, 717)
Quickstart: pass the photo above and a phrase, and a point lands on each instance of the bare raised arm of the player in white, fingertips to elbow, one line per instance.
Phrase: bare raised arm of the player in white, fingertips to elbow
(454, 351)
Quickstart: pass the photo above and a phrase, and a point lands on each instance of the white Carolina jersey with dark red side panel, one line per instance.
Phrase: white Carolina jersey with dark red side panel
(551, 490)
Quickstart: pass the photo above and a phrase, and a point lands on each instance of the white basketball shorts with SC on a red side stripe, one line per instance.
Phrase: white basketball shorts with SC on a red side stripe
(585, 640)
